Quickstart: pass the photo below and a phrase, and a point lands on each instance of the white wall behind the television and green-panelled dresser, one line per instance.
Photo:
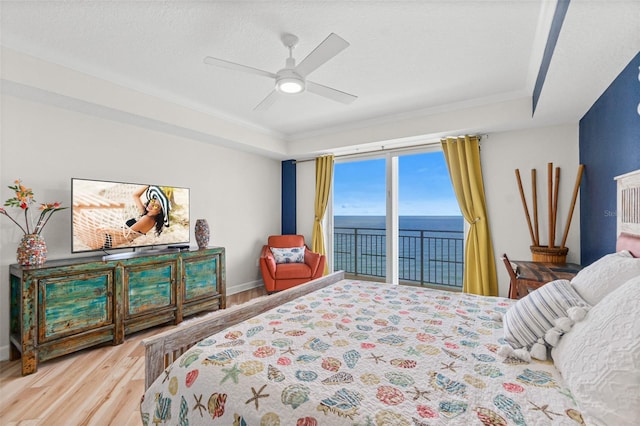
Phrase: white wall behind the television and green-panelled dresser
(237, 192)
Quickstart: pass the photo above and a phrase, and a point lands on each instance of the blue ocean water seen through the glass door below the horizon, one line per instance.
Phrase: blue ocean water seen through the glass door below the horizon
(430, 247)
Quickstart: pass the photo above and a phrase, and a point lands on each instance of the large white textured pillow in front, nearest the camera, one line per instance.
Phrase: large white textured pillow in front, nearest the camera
(599, 359)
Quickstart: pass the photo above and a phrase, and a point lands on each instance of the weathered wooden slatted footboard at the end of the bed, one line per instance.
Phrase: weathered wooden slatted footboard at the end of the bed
(164, 348)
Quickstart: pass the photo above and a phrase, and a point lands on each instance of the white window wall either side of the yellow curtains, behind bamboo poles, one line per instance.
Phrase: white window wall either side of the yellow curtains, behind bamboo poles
(501, 153)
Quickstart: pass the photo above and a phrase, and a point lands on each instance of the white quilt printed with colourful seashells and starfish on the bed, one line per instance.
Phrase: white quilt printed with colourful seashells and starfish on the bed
(362, 353)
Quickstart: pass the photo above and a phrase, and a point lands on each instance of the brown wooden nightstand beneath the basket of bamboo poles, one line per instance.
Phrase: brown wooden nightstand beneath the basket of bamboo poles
(529, 276)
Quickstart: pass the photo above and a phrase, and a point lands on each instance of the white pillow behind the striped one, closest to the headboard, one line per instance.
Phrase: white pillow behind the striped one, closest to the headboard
(605, 275)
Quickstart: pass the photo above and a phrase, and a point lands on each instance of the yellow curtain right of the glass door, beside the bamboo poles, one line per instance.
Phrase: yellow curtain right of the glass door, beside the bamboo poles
(463, 159)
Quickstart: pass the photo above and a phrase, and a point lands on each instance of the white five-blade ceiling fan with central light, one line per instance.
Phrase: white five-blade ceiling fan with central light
(292, 79)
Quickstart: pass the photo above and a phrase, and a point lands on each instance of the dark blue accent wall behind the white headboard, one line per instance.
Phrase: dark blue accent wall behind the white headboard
(609, 147)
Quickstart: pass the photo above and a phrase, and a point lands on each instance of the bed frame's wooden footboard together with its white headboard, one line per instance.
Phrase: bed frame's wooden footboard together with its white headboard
(162, 349)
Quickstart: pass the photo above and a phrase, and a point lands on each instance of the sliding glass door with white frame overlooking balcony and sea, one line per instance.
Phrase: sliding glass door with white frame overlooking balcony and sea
(395, 218)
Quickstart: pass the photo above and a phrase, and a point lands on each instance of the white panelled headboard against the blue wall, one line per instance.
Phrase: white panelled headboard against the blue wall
(628, 212)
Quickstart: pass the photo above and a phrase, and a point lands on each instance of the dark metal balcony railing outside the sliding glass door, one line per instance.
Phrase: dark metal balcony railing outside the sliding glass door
(425, 256)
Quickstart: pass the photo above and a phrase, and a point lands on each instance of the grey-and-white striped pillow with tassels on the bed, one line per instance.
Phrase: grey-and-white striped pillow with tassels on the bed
(535, 314)
